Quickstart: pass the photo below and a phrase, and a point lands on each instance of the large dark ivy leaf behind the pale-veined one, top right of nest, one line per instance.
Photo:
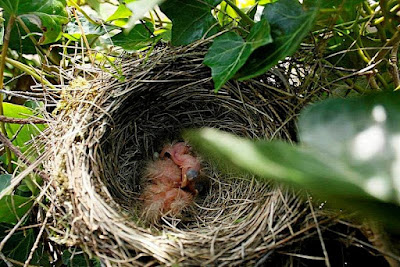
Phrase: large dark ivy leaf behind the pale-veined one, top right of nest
(290, 23)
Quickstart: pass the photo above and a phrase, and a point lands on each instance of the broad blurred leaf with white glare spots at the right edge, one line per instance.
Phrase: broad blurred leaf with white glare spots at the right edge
(364, 133)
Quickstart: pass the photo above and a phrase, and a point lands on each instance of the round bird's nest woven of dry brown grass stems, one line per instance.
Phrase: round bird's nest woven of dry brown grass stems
(107, 129)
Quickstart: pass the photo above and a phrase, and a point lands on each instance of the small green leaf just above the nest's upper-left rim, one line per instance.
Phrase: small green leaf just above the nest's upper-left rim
(140, 36)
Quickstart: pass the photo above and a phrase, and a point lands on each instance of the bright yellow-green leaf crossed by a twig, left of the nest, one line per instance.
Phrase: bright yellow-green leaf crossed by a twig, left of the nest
(23, 135)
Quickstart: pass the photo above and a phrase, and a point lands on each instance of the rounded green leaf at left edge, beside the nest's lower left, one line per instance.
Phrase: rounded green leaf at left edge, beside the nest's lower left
(12, 208)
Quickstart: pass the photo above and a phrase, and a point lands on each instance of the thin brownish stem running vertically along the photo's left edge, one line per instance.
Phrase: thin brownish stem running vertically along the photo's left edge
(2, 67)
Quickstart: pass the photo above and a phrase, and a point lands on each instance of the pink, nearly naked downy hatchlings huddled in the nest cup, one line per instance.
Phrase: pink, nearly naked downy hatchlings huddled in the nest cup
(170, 186)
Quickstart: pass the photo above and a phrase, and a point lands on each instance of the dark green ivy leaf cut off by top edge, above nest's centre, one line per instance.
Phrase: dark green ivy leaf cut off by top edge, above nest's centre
(191, 20)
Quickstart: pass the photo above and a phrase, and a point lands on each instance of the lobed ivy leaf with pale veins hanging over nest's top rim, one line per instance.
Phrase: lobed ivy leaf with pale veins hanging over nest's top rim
(229, 52)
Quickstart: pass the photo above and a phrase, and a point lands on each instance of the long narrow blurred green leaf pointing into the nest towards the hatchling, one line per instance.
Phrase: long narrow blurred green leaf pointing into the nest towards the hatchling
(325, 176)
